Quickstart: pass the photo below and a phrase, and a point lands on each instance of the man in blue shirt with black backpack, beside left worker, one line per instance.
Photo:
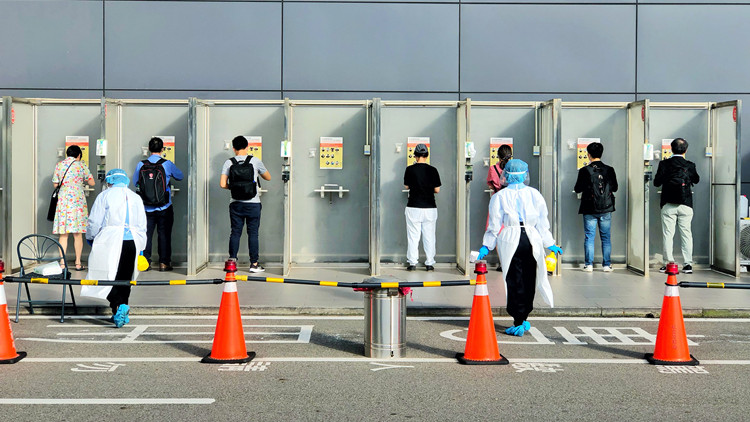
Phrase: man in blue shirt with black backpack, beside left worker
(151, 179)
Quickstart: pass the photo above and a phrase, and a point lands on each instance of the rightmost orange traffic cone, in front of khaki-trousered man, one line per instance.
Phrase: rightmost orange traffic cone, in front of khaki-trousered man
(671, 339)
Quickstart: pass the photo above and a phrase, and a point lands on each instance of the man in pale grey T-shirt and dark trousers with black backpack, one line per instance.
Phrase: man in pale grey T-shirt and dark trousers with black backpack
(240, 175)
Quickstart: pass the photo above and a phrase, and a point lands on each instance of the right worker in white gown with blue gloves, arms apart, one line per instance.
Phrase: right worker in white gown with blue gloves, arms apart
(523, 212)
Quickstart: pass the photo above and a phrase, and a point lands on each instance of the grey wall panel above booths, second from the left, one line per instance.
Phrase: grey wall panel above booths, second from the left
(193, 45)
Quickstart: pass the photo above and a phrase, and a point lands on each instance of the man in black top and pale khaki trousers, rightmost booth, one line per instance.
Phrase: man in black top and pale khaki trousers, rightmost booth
(676, 176)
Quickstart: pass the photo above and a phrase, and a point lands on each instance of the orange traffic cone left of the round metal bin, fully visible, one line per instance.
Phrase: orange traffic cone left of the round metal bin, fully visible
(229, 338)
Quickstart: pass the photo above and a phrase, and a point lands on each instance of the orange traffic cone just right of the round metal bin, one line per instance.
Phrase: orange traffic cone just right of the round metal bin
(481, 342)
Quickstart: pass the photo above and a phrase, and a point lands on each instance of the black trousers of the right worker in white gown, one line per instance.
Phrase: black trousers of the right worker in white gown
(521, 281)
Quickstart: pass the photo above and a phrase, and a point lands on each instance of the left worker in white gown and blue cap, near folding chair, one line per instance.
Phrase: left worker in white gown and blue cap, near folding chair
(117, 225)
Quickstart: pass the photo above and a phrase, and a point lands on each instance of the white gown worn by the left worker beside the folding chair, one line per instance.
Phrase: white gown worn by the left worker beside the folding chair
(106, 226)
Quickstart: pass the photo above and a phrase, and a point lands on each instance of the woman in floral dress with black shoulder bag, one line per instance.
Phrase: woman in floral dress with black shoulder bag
(72, 213)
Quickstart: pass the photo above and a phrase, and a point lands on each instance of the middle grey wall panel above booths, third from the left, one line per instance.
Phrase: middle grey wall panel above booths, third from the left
(360, 47)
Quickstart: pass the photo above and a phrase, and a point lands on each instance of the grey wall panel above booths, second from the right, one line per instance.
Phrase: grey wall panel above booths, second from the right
(517, 48)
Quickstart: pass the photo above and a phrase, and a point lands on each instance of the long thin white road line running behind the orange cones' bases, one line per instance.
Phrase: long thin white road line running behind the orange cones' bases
(361, 360)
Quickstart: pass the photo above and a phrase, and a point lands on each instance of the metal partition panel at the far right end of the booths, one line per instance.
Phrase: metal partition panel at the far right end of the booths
(725, 187)
